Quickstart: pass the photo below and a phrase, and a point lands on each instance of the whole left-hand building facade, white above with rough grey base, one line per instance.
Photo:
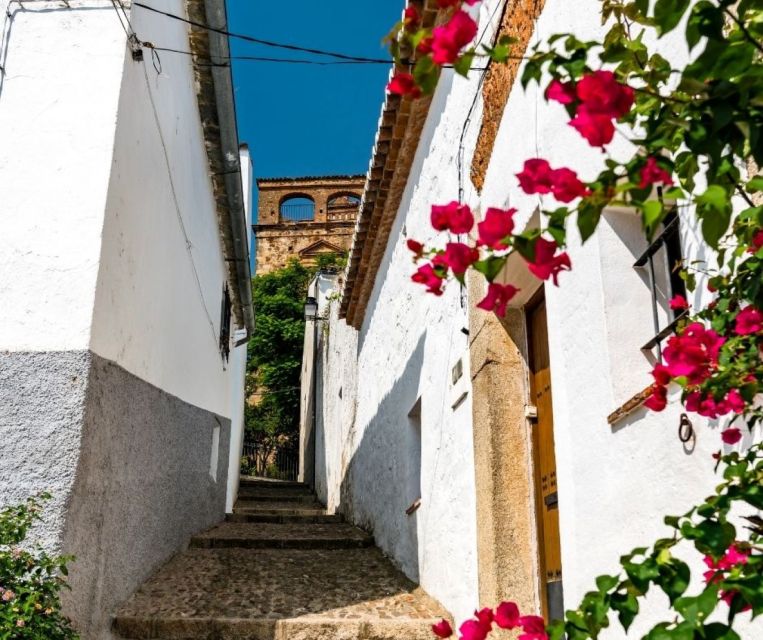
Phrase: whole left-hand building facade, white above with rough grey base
(112, 271)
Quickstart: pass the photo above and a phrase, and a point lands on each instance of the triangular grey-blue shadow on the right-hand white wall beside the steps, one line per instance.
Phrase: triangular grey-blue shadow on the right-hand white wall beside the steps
(385, 469)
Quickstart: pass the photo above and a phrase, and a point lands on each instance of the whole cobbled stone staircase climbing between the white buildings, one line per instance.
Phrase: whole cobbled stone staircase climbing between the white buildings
(279, 568)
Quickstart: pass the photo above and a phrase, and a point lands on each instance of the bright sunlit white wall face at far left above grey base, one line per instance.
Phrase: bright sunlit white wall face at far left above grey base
(55, 161)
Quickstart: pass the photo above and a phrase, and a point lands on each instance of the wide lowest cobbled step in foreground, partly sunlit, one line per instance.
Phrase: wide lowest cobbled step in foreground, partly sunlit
(275, 594)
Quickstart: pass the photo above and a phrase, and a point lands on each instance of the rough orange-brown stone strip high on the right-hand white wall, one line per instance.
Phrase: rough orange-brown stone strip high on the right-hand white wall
(518, 21)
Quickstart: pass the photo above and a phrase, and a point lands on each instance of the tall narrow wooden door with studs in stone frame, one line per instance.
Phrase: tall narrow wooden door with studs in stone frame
(547, 502)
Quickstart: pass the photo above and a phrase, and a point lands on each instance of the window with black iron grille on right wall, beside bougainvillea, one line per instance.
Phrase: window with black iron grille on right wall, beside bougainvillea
(663, 255)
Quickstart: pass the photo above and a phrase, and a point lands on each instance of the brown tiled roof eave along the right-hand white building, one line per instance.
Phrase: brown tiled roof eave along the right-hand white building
(400, 126)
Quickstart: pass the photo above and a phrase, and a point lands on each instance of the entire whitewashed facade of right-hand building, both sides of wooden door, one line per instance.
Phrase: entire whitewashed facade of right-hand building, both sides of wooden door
(615, 484)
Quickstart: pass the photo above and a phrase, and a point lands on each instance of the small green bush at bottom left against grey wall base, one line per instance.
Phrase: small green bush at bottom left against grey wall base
(30, 580)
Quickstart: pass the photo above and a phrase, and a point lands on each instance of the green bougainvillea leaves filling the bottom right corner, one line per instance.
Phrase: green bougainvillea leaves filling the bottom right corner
(730, 587)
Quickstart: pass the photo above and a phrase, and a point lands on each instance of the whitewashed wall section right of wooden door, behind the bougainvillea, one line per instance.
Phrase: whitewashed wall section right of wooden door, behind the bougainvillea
(615, 484)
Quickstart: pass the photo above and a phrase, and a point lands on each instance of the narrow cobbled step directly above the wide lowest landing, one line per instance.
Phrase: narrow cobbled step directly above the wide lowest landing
(282, 536)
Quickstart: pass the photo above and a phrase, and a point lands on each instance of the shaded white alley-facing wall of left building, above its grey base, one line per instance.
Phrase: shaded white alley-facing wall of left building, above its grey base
(160, 285)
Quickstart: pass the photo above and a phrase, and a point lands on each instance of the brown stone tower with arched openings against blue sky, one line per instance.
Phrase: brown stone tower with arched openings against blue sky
(305, 217)
